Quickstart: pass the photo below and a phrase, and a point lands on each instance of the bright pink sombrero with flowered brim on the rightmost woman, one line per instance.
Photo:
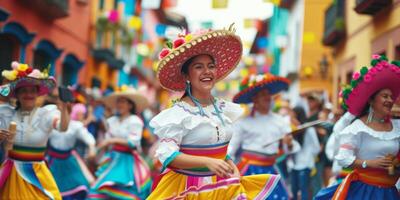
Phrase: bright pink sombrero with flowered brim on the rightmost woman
(368, 80)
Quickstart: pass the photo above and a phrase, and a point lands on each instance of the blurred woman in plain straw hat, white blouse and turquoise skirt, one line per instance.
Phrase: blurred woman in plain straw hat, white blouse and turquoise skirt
(123, 174)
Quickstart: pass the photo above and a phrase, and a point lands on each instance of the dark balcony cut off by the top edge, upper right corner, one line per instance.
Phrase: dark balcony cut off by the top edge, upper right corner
(371, 7)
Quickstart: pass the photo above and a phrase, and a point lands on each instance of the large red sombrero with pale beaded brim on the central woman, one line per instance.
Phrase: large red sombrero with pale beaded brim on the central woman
(223, 45)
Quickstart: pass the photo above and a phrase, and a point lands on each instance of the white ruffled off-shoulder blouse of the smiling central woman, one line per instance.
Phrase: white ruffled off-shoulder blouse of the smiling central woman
(183, 124)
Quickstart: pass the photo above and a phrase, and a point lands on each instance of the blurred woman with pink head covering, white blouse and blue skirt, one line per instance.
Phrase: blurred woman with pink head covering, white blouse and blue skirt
(62, 159)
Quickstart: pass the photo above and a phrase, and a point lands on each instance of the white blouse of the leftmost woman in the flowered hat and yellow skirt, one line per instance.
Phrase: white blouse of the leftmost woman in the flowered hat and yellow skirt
(34, 128)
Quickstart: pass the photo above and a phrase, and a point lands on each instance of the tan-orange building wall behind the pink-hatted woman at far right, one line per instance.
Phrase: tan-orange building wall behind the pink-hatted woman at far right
(362, 32)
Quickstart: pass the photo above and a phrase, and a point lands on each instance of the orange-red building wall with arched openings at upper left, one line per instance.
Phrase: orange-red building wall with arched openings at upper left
(70, 33)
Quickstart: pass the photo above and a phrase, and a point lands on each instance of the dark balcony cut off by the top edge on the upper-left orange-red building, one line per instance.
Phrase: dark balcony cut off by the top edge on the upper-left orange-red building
(50, 9)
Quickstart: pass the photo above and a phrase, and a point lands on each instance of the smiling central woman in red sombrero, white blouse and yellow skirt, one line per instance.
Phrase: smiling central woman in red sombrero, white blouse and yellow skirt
(195, 132)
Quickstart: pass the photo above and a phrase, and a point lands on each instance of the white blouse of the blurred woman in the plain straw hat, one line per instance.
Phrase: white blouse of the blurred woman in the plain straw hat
(130, 128)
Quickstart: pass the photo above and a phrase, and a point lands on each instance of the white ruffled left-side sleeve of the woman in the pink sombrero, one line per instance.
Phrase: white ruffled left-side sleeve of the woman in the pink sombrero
(349, 142)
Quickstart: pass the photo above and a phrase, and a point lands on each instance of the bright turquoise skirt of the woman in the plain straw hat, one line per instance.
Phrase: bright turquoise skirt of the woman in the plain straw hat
(123, 174)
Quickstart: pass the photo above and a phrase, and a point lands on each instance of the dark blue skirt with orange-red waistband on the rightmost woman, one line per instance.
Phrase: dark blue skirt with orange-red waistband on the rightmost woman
(368, 184)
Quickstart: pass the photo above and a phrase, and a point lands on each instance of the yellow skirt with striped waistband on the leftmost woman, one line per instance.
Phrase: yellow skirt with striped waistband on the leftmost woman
(24, 175)
